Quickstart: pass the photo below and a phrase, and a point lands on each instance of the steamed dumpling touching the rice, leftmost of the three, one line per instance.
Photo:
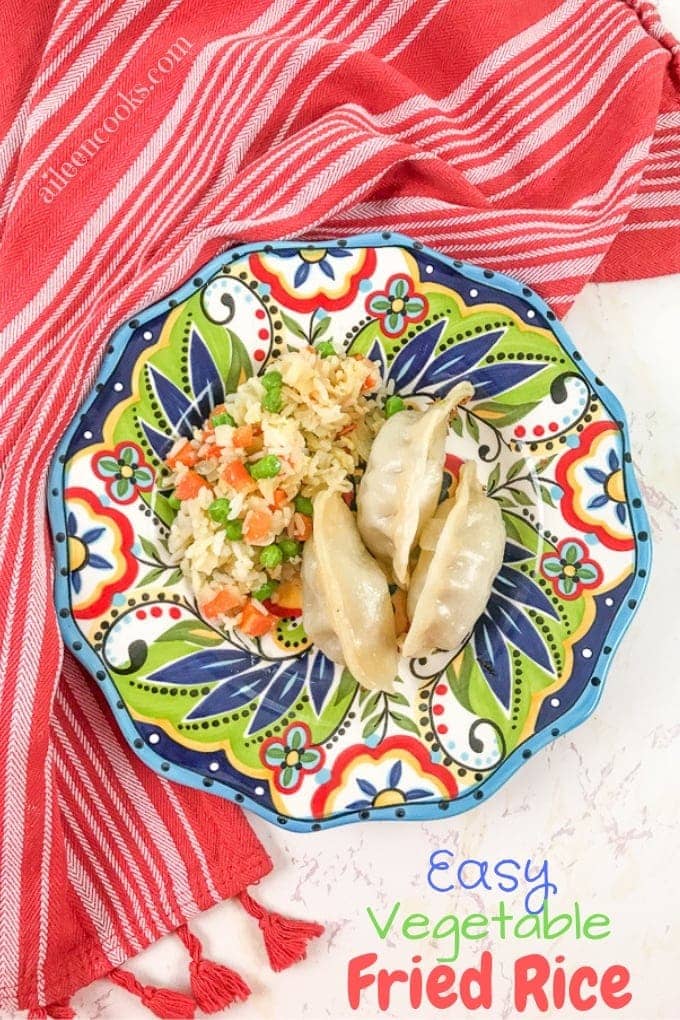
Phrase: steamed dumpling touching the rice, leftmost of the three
(347, 609)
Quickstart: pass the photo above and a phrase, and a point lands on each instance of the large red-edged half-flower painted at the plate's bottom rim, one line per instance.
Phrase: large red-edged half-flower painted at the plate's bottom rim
(397, 773)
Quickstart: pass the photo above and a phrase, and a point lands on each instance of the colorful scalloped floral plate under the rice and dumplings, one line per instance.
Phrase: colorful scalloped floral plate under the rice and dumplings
(276, 726)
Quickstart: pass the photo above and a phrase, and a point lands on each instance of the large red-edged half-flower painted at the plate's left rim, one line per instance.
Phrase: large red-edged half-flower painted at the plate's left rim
(99, 544)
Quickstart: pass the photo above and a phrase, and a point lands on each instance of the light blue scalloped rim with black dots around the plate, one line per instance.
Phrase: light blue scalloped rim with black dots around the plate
(579, 712)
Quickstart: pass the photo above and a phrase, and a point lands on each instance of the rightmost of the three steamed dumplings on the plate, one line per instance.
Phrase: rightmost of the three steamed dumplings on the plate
(462, 551)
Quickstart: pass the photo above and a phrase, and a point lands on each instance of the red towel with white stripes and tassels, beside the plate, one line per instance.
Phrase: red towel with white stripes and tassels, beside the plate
(141, 138)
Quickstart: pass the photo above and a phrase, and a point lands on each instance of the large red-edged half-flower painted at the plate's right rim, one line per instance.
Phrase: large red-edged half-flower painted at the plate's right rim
(592, 478)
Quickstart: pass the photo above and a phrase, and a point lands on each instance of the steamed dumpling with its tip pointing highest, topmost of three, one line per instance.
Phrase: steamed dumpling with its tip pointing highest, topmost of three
(403, 480)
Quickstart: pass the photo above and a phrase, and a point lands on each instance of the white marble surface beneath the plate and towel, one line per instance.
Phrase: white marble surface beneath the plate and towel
(602, 804)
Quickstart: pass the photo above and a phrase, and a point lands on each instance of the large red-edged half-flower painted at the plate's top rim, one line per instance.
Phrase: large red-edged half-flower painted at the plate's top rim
(306, 279)
